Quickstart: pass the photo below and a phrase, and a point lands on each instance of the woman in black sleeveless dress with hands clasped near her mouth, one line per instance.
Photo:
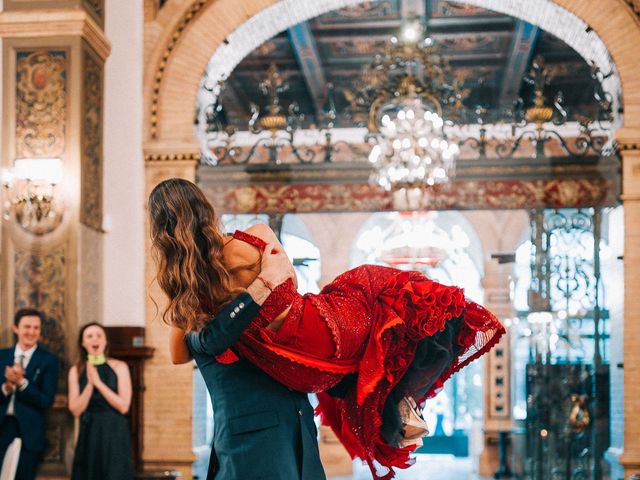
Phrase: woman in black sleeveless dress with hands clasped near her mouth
(100, 394)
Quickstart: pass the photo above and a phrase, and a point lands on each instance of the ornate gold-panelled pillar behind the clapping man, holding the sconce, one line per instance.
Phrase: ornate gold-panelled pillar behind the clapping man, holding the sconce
(53, 64)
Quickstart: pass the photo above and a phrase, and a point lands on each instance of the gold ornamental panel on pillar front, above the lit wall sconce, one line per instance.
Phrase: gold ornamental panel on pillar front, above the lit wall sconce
(41, 103)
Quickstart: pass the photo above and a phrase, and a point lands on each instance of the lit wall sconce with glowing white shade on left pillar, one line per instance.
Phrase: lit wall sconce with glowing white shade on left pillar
(30, 195)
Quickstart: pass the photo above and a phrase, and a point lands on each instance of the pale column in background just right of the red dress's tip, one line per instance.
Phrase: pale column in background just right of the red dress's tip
(497, 367)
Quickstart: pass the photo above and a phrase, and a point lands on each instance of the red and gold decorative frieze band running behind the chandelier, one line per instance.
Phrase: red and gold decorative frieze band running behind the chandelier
(459, 195)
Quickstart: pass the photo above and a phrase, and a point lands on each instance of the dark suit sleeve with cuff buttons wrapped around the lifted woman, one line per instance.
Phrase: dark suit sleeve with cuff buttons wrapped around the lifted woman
(225, 329)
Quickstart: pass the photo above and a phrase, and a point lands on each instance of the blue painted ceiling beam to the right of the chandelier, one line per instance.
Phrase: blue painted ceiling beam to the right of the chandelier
(525, 36)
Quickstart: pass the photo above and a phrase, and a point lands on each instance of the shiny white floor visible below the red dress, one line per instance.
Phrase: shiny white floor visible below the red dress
(427, 467)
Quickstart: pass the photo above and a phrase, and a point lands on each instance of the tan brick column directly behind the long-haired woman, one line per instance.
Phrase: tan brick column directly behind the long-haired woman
(168, 397)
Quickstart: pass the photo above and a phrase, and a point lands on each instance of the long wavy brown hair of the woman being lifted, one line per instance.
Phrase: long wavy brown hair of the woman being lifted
(187, 244)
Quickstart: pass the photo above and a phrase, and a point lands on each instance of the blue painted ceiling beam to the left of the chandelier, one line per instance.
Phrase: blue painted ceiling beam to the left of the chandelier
(306, 51)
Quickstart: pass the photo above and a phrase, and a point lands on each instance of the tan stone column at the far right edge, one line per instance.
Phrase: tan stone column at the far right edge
(629, 140)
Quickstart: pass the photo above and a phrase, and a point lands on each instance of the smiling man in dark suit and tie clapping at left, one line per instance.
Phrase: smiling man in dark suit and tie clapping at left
(29, 380)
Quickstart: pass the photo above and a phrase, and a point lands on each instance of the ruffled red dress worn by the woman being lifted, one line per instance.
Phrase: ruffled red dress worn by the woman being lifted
(371, 332)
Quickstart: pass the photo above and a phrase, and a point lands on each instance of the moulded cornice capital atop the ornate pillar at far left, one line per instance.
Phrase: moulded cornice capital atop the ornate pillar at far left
(55, 23)
